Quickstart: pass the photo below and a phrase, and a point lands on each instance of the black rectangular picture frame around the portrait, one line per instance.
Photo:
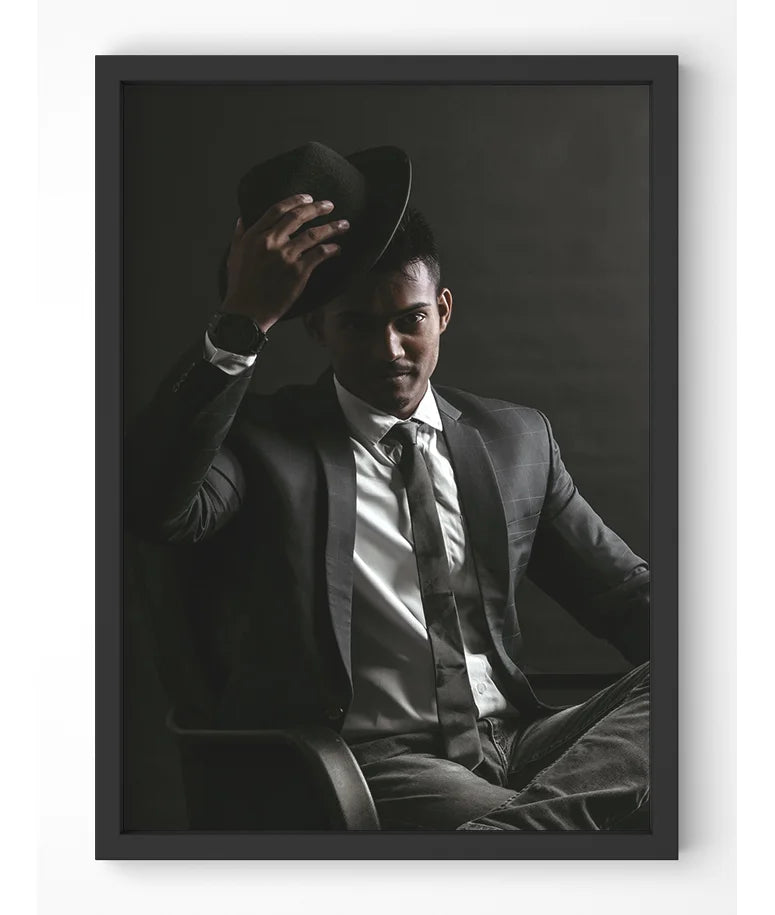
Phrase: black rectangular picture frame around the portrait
(660, 74)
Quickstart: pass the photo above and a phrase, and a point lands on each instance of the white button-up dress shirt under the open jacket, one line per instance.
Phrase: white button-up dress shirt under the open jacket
(392, 664)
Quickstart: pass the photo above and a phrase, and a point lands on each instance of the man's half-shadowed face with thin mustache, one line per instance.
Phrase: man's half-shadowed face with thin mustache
(383, 337)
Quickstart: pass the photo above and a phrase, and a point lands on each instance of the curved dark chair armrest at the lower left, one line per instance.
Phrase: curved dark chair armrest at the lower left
(325, 754)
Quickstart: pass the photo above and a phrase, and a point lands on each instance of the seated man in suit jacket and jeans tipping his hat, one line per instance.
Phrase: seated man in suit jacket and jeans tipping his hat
(373, 529)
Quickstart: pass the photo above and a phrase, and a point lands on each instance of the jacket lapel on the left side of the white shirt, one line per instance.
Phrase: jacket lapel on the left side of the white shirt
(331, 440)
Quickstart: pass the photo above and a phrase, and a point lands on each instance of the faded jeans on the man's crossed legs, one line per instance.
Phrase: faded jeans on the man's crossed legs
(582, 768)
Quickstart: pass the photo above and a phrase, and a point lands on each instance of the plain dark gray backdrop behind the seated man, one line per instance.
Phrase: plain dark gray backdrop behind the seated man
(539, 196)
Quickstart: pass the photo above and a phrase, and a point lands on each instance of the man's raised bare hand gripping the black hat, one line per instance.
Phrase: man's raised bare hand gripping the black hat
(267, 269)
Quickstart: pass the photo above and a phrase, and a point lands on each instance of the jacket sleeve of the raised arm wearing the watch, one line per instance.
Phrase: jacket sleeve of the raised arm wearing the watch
(181, 483)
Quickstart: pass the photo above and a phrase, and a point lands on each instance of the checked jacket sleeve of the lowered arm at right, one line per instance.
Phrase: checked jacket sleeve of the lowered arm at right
(583, 565)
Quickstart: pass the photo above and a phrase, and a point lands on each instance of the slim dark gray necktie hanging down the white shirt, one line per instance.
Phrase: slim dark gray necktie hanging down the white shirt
(454, 699)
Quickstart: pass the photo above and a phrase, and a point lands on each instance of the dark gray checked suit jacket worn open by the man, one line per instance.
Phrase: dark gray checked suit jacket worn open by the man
(263, 488)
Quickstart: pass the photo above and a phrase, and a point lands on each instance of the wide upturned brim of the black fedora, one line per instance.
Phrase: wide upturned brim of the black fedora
(387, 171)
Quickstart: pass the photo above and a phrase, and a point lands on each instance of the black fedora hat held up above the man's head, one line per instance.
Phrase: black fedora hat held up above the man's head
(369, 188)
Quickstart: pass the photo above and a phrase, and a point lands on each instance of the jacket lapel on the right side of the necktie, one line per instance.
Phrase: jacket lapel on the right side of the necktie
(482, 508)
